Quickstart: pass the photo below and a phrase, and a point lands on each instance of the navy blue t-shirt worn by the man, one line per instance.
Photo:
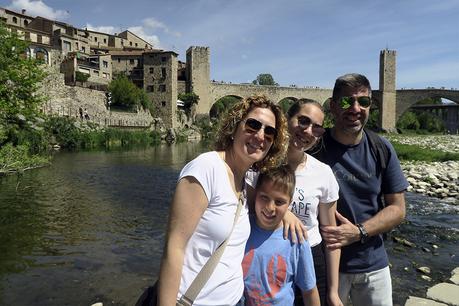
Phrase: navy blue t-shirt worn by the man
(361, 186)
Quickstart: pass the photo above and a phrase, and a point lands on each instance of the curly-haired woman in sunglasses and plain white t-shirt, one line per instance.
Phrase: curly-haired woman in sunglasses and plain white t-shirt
(252, 134)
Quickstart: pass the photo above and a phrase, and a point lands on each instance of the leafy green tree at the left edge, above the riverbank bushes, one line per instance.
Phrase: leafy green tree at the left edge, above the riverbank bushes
(20, 78)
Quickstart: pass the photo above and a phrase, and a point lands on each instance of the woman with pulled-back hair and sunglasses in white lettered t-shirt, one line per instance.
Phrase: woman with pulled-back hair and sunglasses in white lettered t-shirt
(316, 192)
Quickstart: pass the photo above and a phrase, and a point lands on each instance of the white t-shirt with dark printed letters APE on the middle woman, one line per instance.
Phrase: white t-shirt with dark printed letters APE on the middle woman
(315, 183)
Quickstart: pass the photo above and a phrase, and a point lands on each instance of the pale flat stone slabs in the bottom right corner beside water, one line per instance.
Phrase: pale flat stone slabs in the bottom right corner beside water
(442, 294)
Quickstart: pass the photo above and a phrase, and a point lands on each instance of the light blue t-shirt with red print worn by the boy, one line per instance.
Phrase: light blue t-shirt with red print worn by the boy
(273, 265)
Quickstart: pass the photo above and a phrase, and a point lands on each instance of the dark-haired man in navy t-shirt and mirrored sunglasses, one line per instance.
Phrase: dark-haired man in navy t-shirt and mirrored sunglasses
(362, 217)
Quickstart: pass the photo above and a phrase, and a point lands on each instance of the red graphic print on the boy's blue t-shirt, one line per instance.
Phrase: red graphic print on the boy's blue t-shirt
(276, 275)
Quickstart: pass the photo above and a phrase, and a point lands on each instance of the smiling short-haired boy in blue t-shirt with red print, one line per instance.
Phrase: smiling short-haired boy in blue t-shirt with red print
(272, 265)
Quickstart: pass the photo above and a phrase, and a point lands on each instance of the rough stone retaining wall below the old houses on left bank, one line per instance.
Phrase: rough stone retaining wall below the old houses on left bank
(66, 100)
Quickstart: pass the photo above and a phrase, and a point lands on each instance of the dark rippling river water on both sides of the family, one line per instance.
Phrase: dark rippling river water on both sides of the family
(90, 228)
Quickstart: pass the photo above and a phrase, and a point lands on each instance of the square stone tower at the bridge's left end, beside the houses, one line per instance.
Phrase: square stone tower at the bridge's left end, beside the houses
(198, 76)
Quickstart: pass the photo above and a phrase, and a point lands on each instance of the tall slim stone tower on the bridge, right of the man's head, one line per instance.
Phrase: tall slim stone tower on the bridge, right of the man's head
(387, 83)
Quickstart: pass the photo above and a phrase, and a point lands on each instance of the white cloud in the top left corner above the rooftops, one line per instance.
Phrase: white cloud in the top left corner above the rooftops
(38, 8)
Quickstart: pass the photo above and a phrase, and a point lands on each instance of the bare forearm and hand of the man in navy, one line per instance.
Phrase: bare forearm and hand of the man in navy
(385, 220)
